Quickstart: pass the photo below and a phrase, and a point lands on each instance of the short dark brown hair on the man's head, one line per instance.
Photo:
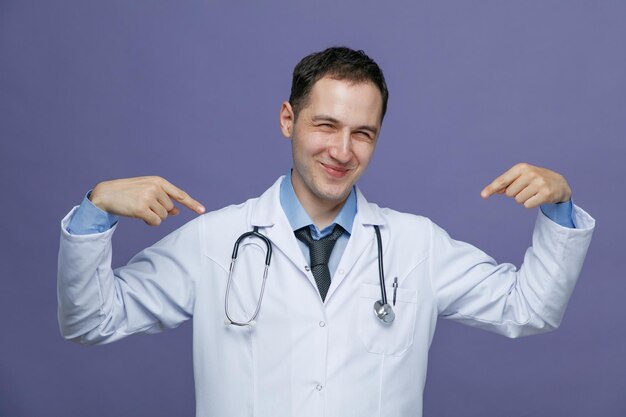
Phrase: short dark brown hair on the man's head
(338, 63)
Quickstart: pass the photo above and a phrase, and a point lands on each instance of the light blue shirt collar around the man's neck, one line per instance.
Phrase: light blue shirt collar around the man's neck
(298, 217)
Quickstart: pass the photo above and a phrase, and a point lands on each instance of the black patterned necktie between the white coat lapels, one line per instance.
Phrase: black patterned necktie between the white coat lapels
(320, 251)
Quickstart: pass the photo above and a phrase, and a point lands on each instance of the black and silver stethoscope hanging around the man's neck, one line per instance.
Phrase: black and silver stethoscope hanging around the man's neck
(382, 309)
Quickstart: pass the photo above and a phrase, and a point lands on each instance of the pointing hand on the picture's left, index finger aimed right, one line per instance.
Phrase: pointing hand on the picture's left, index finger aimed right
(145, 198)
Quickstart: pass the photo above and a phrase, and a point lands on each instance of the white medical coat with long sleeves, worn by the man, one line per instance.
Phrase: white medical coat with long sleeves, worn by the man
(304, 357)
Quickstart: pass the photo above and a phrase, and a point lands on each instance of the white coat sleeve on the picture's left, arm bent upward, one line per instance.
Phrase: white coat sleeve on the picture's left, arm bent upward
(154, 291)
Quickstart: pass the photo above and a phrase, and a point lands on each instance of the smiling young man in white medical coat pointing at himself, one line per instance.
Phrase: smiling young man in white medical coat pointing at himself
(317, 337)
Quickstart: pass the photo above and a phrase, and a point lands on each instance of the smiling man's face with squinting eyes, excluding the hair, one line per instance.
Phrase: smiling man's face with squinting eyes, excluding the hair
(333, 139)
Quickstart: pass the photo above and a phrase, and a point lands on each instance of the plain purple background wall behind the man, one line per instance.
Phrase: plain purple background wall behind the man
(191, 90)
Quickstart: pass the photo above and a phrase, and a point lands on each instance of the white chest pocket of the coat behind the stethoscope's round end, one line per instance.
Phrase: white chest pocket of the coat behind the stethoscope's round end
(386, 339)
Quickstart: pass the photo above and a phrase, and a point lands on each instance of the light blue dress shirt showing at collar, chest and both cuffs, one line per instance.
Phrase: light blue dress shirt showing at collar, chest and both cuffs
(90, 219)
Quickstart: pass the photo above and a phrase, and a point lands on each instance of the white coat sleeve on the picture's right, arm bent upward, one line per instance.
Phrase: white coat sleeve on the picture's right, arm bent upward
(470, 287)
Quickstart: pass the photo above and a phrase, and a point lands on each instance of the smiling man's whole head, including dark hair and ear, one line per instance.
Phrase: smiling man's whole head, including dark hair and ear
(333, 119)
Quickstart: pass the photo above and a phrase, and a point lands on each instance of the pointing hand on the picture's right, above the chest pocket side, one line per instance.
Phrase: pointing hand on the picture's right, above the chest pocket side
(530, 186)
